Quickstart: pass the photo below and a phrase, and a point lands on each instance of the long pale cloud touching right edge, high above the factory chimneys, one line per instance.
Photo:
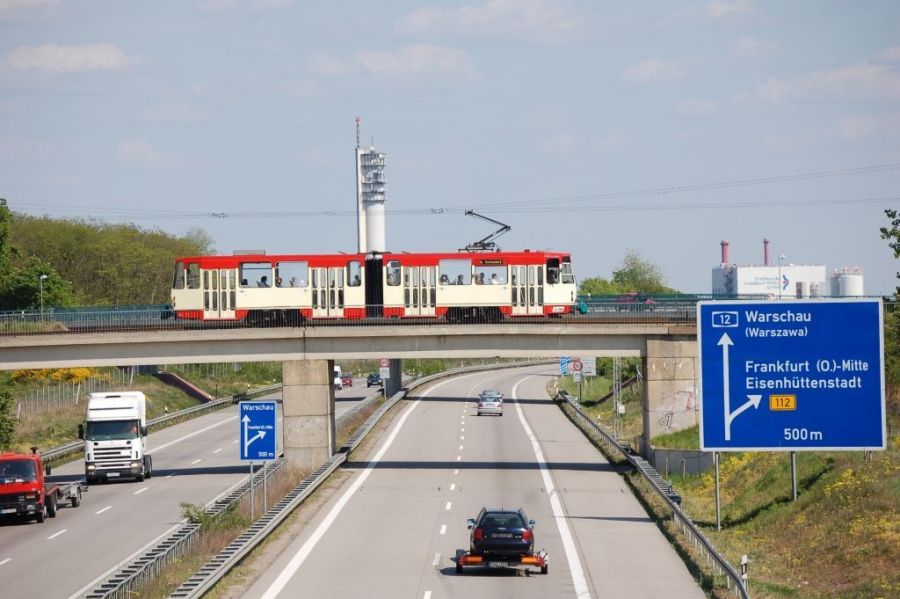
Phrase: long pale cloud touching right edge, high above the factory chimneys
(863, 80)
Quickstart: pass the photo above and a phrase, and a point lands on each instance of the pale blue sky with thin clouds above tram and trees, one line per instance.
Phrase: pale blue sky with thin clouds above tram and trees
(595, 127)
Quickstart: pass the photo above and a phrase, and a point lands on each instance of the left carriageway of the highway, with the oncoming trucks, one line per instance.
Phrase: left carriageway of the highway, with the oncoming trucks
(194, 461)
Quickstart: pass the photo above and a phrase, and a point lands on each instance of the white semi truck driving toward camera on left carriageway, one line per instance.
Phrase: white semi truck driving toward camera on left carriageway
(115, 437)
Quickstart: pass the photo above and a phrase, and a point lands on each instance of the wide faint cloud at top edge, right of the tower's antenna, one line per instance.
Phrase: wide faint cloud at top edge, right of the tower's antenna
(534, 20)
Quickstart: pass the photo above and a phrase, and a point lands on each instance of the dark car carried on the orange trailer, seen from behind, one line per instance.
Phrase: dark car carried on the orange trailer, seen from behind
(501, 535)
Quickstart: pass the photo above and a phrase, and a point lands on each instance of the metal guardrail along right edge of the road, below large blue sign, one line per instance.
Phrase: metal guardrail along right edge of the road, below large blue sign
(733, 580)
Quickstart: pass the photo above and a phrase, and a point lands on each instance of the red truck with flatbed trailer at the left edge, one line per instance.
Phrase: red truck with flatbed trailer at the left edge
(24, 492)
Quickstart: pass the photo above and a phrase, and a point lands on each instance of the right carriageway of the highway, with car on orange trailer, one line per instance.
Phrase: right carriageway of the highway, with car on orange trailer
(392, 528)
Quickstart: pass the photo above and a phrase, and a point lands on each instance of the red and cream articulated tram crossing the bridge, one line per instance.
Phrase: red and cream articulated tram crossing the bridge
(288, 289)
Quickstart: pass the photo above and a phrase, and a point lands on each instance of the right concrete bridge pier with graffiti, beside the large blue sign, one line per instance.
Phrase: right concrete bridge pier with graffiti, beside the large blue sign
(669, 399)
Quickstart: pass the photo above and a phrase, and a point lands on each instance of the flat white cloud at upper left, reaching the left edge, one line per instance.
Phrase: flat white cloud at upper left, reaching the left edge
(67, 59)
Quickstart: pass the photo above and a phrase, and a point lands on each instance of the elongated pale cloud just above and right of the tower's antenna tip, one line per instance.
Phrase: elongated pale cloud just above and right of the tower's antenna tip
(420, 59)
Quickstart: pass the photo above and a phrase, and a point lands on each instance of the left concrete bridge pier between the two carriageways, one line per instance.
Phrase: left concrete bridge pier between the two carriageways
(308, 394)
